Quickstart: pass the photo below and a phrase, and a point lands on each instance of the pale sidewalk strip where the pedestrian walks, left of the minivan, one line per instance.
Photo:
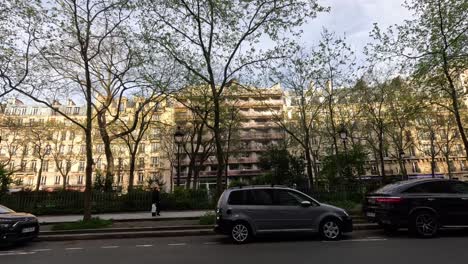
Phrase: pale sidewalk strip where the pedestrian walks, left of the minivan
(124, 216)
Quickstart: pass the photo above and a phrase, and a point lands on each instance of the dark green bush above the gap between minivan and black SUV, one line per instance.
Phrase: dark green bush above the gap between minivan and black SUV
(343, 168)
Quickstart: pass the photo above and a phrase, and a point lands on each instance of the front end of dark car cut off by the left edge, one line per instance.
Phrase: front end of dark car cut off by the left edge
(17, 227)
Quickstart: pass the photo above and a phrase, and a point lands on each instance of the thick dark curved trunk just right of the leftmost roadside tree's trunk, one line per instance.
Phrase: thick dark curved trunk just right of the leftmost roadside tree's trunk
(107, 150)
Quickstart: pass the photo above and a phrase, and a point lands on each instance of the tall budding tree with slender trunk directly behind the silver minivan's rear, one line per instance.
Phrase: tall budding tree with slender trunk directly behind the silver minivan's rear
(217, 41)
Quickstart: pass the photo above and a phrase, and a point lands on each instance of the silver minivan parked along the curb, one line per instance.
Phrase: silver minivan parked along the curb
(244, 212)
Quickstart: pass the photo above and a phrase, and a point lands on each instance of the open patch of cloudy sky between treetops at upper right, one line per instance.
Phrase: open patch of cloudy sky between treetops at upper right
(355, 18)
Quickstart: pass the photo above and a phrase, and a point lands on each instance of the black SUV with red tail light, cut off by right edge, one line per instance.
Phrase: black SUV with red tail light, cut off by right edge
(423, 206)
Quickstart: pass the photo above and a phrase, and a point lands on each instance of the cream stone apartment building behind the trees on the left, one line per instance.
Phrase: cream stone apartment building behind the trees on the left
(36, 138)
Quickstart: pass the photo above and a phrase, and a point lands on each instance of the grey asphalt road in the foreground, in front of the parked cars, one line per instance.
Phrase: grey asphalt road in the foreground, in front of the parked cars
(362, 247)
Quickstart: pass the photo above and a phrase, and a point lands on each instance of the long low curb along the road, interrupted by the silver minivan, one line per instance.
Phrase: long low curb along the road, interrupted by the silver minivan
(173, 231)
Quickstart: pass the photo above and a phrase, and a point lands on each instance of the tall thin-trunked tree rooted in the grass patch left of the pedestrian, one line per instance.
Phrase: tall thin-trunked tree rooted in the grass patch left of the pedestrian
(70, 43)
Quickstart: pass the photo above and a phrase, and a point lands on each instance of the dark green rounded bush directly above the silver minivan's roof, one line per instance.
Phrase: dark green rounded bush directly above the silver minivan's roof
(284, 168)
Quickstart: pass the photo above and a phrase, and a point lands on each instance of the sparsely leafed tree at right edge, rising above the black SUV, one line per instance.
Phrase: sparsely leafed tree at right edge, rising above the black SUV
(434, 47)
